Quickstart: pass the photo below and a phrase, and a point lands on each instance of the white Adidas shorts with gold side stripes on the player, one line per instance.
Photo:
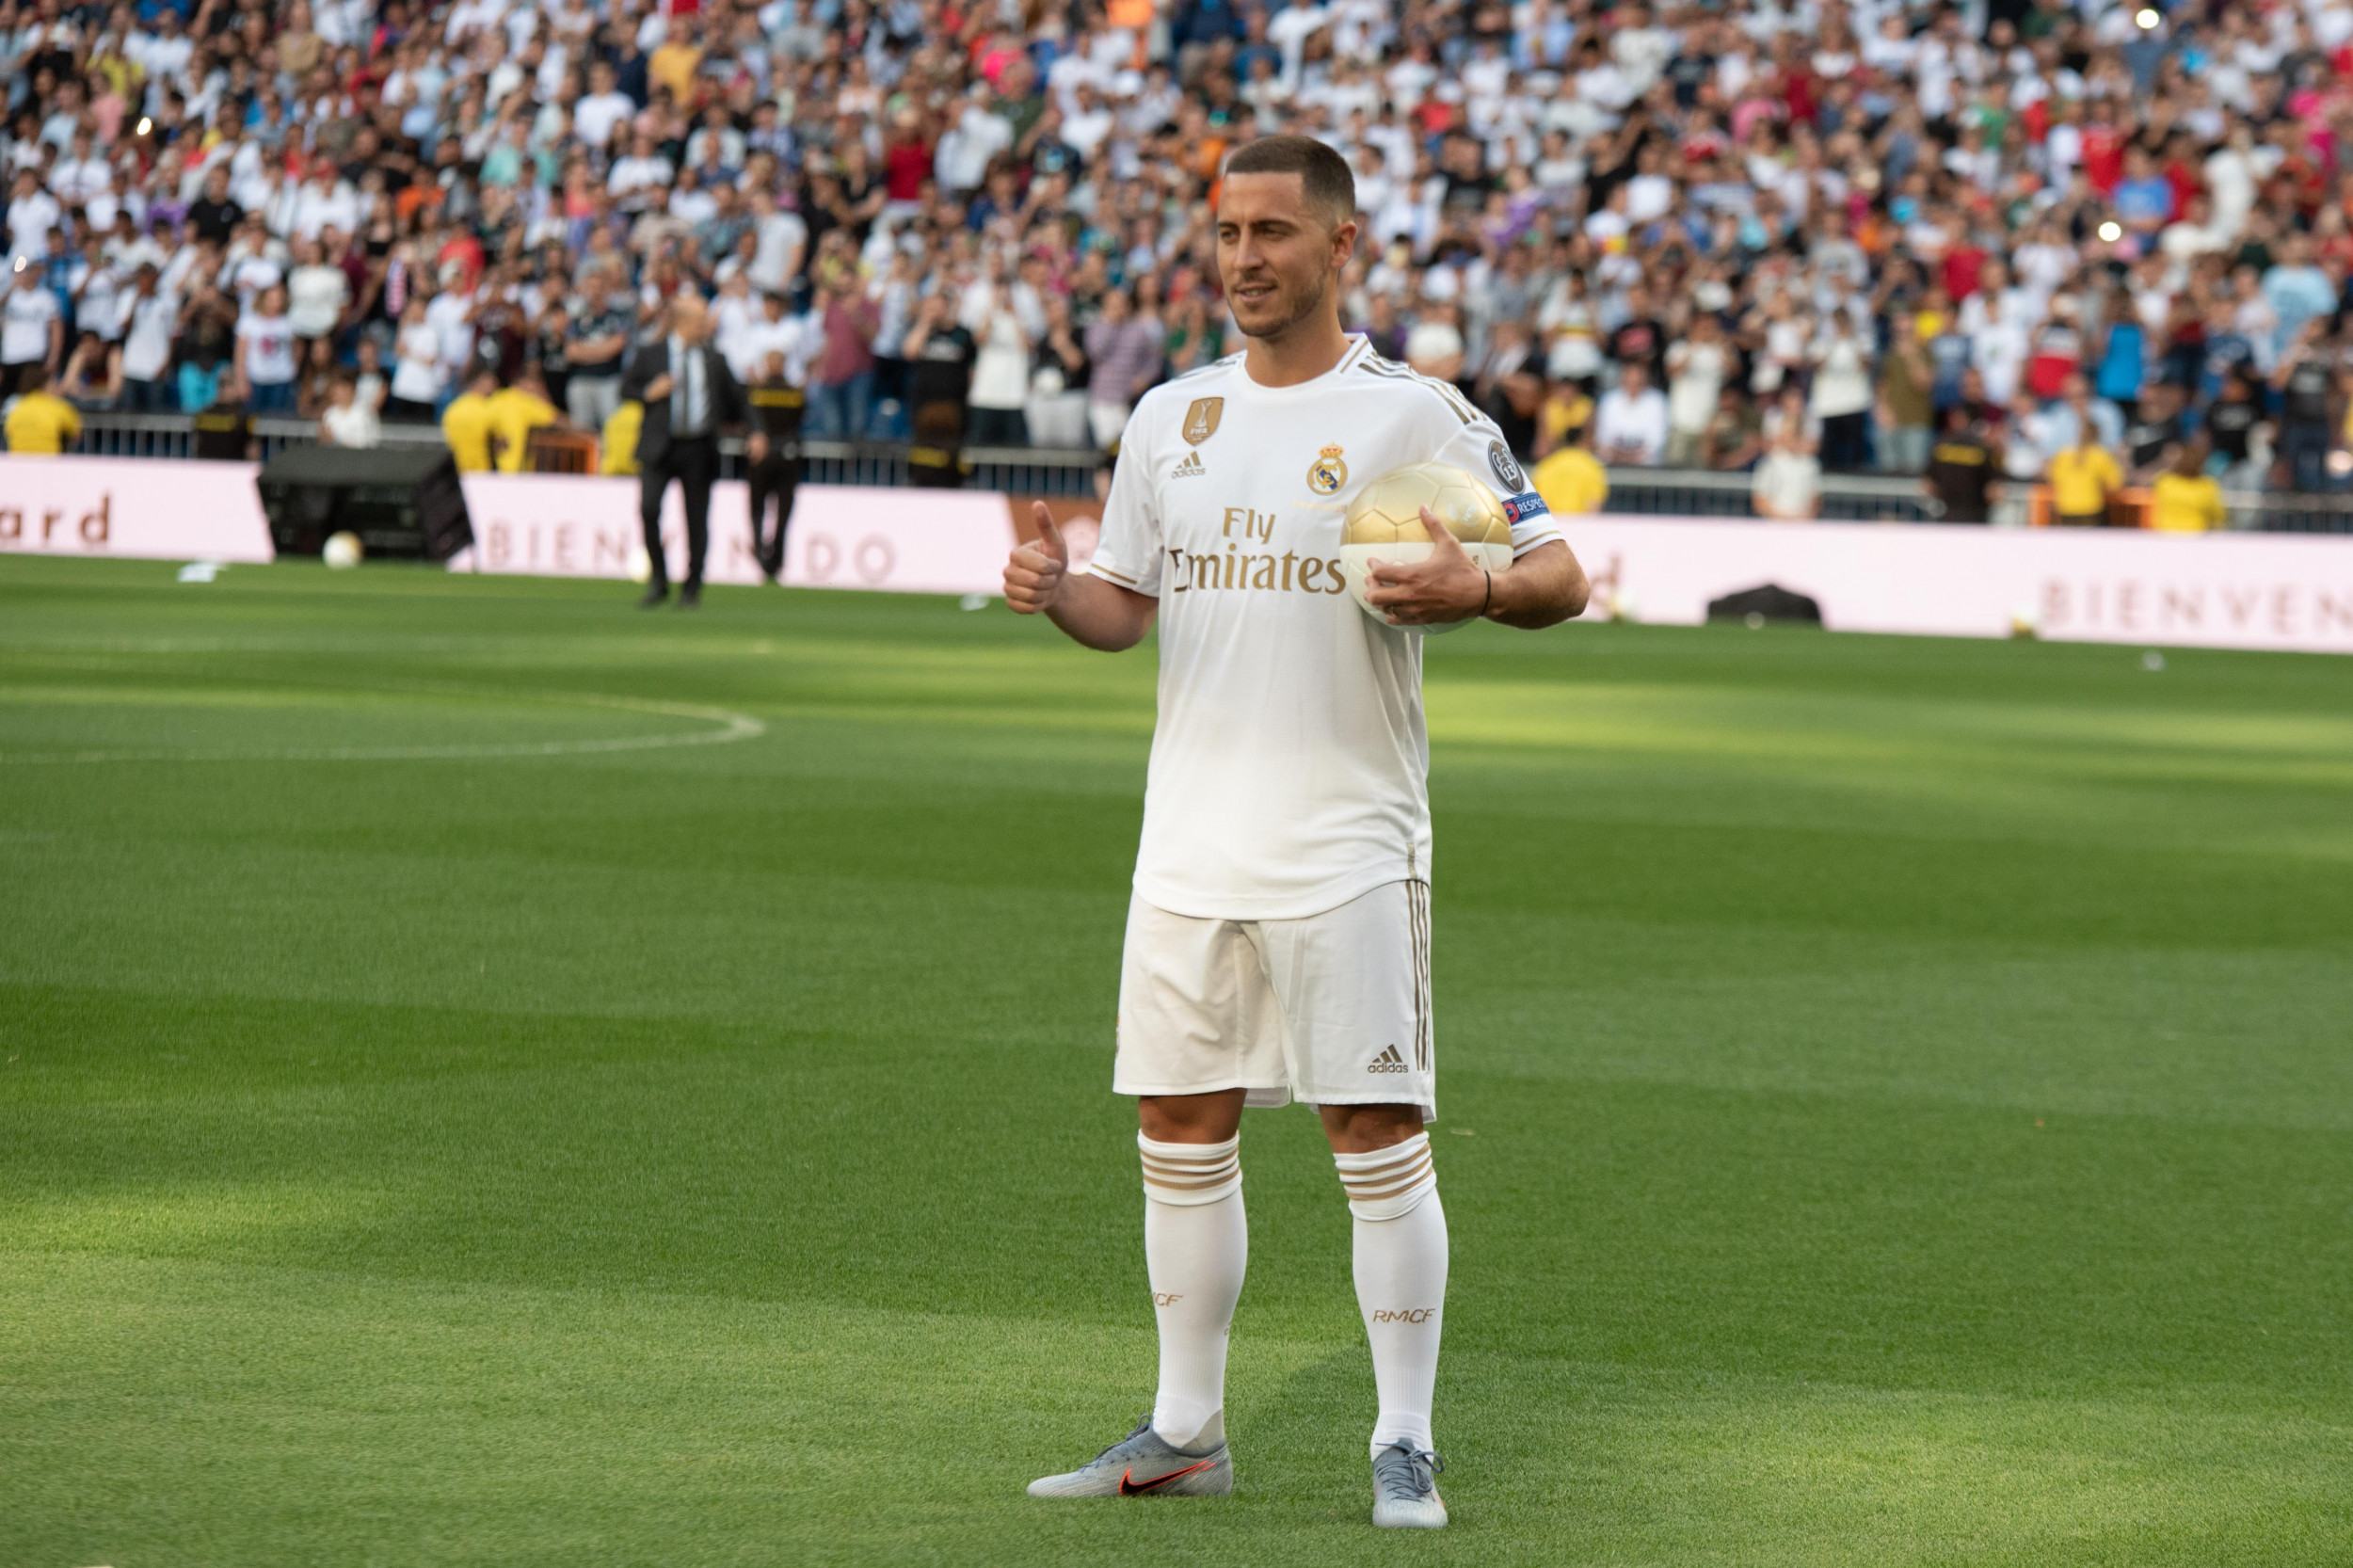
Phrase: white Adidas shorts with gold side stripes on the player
(1333, 1009)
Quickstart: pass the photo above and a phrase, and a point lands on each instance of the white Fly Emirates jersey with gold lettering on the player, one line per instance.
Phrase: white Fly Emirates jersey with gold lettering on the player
(1291, 762)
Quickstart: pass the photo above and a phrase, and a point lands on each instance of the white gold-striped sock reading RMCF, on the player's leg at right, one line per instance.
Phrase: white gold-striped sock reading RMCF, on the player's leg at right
(1401, 1280)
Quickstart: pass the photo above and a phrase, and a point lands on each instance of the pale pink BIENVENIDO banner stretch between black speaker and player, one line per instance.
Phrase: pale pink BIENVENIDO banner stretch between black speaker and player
(844, 536)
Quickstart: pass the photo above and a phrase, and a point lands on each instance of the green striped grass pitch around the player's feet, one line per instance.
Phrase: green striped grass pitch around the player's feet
(1898, 1096)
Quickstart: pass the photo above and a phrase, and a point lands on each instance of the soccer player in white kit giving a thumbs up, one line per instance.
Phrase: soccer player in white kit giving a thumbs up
(1281, 922)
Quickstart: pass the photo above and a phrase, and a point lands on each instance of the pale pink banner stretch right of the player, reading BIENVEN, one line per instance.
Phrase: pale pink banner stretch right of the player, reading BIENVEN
(2281, 592)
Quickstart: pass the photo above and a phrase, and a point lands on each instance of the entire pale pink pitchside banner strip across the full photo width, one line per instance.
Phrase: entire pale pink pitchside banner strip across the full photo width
(2281, 592)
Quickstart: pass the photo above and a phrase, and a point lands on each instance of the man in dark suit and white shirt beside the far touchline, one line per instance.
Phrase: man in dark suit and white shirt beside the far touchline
(688, 394)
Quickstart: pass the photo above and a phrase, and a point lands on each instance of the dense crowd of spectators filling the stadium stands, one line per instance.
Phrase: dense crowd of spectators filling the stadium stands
(2079, 244)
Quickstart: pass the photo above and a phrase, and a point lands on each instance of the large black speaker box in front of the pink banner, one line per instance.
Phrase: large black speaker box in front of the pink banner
(401, 503)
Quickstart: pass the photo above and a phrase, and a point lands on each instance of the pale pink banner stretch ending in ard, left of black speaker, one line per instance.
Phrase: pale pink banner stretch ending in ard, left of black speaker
(138, 507)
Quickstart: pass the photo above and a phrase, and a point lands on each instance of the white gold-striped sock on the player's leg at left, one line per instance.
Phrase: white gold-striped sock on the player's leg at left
(1197, 1247)
